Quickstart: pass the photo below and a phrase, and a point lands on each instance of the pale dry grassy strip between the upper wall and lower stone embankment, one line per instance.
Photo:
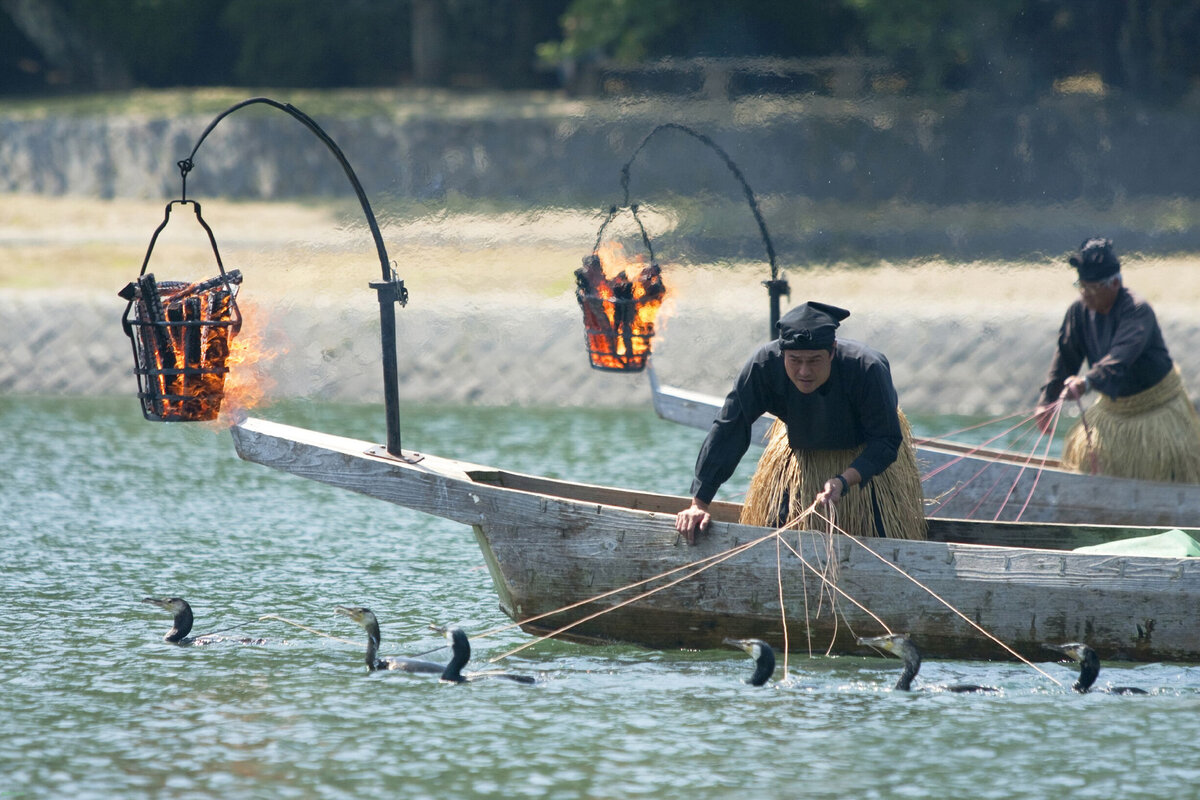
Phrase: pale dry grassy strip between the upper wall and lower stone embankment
(489, 256)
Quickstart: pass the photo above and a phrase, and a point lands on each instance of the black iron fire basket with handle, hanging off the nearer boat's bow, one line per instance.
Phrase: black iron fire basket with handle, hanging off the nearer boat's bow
(181, 333)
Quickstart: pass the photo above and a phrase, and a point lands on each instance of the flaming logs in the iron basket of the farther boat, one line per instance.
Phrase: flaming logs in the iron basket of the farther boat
(619, 312)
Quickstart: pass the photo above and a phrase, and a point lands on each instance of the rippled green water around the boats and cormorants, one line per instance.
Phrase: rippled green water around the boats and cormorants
(100, 509)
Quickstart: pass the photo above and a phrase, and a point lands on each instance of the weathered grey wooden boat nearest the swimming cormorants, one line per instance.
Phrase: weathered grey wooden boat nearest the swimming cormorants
(613, 560)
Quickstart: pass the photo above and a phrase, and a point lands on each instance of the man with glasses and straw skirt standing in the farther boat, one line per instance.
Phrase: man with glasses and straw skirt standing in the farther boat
(1143, 424)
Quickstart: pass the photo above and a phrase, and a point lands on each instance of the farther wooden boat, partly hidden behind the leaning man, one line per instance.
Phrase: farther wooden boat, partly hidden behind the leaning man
(998, 485)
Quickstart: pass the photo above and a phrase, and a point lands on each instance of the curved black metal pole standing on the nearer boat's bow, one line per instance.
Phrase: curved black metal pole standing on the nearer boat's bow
(391, 291)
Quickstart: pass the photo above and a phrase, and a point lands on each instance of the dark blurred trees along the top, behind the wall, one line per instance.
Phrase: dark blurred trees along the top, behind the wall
(1016, 49)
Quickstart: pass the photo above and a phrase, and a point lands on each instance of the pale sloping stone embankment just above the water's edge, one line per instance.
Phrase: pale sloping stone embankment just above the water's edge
(65, 344)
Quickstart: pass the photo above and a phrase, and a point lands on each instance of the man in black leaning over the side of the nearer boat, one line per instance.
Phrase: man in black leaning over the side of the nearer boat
(842, 429)
